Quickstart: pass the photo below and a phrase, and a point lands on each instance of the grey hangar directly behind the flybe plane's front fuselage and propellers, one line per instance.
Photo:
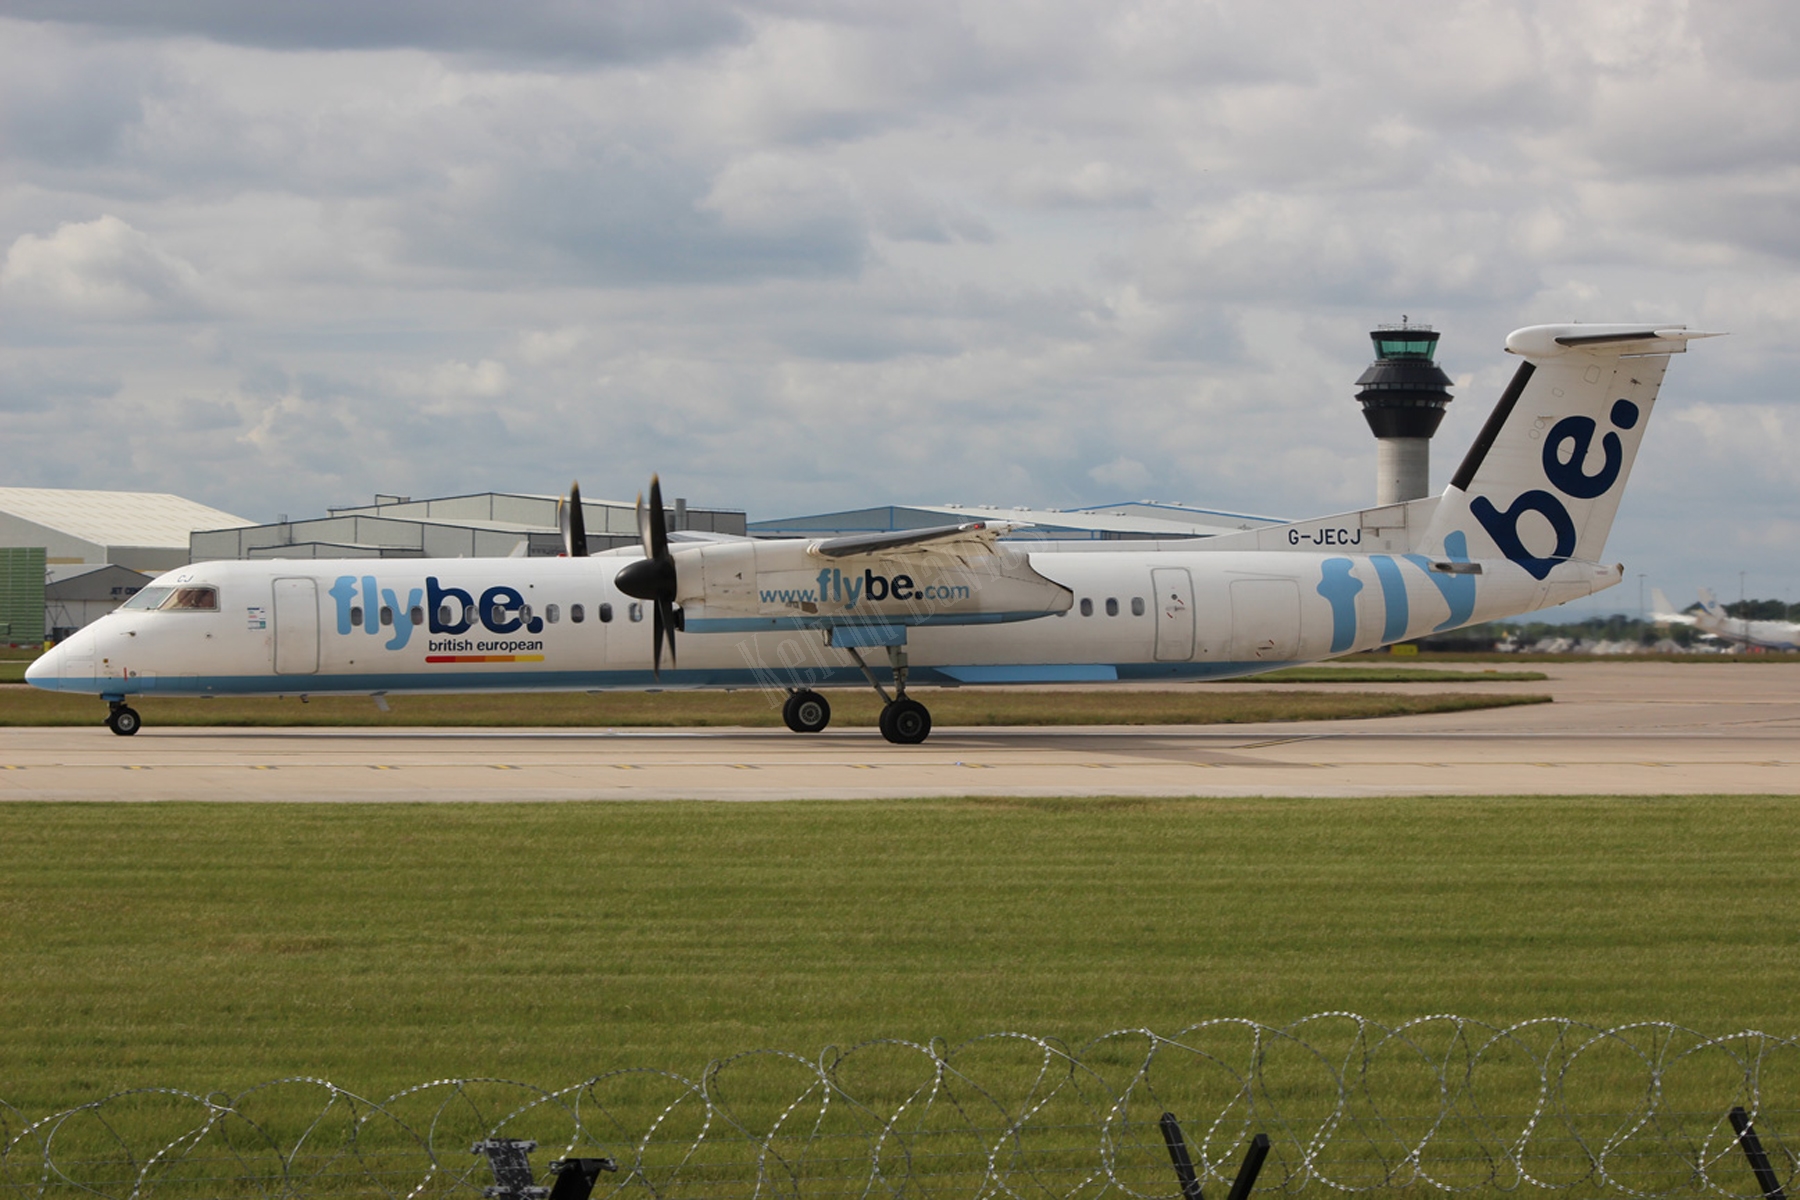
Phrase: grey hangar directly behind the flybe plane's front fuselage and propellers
(490, 524)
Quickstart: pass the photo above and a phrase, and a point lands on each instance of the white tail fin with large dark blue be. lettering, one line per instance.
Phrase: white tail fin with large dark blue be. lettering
(1542, 483)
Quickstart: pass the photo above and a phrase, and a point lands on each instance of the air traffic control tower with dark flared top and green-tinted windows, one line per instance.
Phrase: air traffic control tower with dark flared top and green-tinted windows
(1403, 397)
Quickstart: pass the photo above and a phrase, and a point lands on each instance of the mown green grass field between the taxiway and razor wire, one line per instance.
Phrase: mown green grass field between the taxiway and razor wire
(215, 947)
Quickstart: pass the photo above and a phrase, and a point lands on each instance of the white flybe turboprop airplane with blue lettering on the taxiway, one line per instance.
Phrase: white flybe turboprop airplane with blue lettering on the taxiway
(1520, 528)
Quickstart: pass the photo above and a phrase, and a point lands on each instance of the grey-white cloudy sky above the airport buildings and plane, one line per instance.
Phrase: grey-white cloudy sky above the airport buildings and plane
(802, 256)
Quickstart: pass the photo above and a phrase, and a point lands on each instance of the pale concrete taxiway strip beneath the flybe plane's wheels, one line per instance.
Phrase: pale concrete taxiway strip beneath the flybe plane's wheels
(1615, 728)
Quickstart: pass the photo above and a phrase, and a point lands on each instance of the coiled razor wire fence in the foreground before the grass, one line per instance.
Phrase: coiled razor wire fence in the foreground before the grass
(1349, 1106)
